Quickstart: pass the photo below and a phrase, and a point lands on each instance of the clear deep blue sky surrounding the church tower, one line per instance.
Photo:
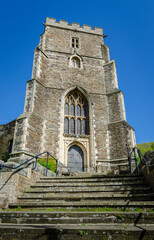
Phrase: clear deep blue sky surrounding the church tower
(130, 26)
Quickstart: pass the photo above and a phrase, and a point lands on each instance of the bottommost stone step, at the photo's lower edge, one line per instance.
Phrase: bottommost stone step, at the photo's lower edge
(76, 231)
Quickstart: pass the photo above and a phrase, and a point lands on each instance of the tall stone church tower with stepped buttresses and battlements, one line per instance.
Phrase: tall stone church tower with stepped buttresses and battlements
(73, 107)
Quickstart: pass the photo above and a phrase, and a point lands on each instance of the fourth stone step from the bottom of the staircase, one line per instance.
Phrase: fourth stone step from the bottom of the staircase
(93, 196)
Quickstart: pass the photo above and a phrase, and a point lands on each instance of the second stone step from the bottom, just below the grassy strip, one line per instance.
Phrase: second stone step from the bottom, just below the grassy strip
(75, 217)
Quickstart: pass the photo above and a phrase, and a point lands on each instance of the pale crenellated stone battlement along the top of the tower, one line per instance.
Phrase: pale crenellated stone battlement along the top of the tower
(73, 26)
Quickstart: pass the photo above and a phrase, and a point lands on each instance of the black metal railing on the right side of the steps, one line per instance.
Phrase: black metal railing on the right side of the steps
(134, 153)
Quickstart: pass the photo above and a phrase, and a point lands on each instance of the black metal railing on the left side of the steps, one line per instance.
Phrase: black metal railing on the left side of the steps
(36, 157)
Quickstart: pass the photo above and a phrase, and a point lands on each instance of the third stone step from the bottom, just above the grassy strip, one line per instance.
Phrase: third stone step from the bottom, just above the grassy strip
(84, 203)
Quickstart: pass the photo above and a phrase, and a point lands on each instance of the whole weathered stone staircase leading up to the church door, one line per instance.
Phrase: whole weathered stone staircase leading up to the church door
(89, 207)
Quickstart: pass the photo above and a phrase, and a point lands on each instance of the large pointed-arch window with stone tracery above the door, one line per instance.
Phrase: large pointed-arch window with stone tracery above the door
(76, 114)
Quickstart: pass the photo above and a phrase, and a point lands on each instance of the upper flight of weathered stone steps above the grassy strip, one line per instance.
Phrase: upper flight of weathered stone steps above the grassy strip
(76, 192)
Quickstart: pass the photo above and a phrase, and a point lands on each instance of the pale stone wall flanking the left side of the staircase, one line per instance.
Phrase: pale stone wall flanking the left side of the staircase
(14, 182)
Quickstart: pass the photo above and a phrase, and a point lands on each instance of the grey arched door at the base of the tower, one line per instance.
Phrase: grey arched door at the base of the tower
(75, 159)
